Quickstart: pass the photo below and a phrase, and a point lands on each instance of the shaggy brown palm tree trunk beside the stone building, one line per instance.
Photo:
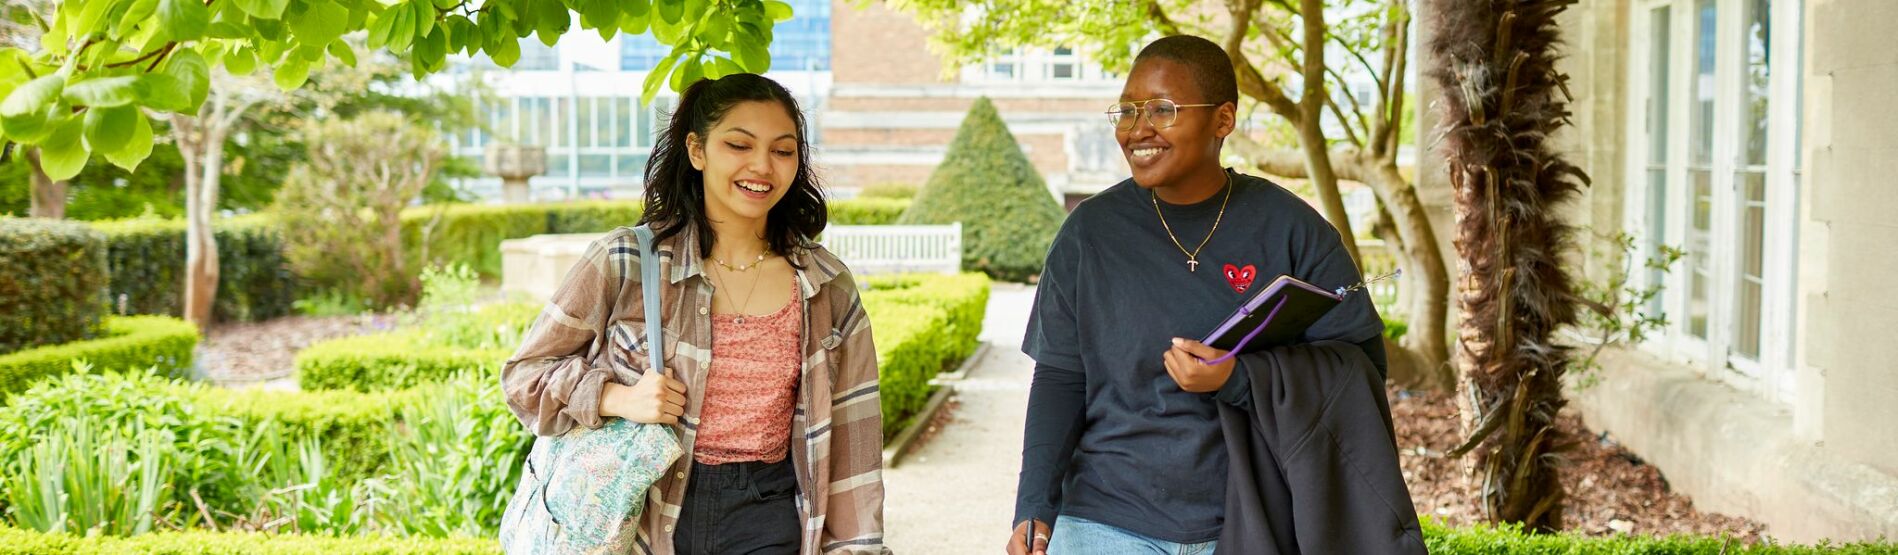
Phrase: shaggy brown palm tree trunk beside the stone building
(1495, 62)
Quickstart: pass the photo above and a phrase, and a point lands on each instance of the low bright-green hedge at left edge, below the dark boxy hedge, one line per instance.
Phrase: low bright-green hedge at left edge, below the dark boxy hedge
(128, 343)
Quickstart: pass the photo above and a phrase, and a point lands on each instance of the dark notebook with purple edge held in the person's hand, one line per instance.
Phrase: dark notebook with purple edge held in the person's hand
(1278, 315)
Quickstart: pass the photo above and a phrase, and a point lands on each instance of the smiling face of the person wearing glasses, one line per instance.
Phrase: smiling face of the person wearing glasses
(1176, 155)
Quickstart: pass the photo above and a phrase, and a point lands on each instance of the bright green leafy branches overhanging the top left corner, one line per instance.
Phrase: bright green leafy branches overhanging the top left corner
(102, 64)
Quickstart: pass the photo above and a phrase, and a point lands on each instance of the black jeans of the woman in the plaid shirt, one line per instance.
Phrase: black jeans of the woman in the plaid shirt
(739, 508)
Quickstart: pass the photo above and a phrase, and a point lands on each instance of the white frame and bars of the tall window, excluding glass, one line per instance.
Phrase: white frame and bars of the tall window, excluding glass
(1774, 375)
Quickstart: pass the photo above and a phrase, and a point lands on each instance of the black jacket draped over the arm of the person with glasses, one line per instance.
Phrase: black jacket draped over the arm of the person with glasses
(1314, 459)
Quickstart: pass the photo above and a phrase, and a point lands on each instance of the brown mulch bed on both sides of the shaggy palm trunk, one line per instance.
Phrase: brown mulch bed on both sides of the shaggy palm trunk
(1609, 488)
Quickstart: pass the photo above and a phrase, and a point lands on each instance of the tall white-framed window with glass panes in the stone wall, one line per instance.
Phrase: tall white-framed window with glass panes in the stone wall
(1709, 166)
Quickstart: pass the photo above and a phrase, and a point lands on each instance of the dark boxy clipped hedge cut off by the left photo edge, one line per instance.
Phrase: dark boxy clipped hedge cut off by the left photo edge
(54, 282)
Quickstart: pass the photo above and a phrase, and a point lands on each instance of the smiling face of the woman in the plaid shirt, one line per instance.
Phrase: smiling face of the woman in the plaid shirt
(749, 161)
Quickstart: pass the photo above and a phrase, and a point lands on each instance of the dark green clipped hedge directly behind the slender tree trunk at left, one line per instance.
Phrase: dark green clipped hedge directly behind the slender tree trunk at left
(147, 259)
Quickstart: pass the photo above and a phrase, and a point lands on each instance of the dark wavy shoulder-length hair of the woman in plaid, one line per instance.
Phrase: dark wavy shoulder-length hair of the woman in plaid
(675, 189)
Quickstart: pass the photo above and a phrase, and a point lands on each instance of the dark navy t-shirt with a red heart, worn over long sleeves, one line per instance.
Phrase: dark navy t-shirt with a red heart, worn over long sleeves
(1147, 455)
